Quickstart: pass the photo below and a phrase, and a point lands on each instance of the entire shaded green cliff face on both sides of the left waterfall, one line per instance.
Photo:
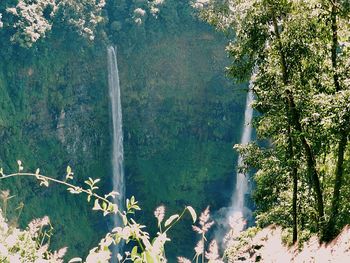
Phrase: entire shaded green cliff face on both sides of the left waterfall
(181, 118)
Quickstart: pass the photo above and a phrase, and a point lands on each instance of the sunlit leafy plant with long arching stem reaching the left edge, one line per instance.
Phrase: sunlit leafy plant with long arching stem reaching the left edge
(145, 248)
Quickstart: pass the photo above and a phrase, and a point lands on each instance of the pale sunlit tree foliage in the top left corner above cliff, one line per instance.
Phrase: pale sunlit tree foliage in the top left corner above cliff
(31, 20)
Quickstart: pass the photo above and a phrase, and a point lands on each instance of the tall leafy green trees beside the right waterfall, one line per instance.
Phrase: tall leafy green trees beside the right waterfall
(297, 56)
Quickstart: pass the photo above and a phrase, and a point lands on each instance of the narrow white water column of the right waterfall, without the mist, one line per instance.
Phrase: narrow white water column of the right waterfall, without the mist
(237, 200)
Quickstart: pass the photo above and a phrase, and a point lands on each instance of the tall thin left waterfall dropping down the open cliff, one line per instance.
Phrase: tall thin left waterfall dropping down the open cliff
(116, 110)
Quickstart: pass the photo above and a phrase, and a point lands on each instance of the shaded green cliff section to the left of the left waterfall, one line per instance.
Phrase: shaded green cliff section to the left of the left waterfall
(55, 113)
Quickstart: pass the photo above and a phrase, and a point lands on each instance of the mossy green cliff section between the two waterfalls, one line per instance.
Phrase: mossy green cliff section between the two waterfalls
(181, 119)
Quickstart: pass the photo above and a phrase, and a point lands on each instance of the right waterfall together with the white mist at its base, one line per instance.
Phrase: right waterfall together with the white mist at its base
(238, 215)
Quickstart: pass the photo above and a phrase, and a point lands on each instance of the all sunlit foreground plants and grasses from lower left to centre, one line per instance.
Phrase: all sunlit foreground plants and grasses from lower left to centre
(32, 245)
